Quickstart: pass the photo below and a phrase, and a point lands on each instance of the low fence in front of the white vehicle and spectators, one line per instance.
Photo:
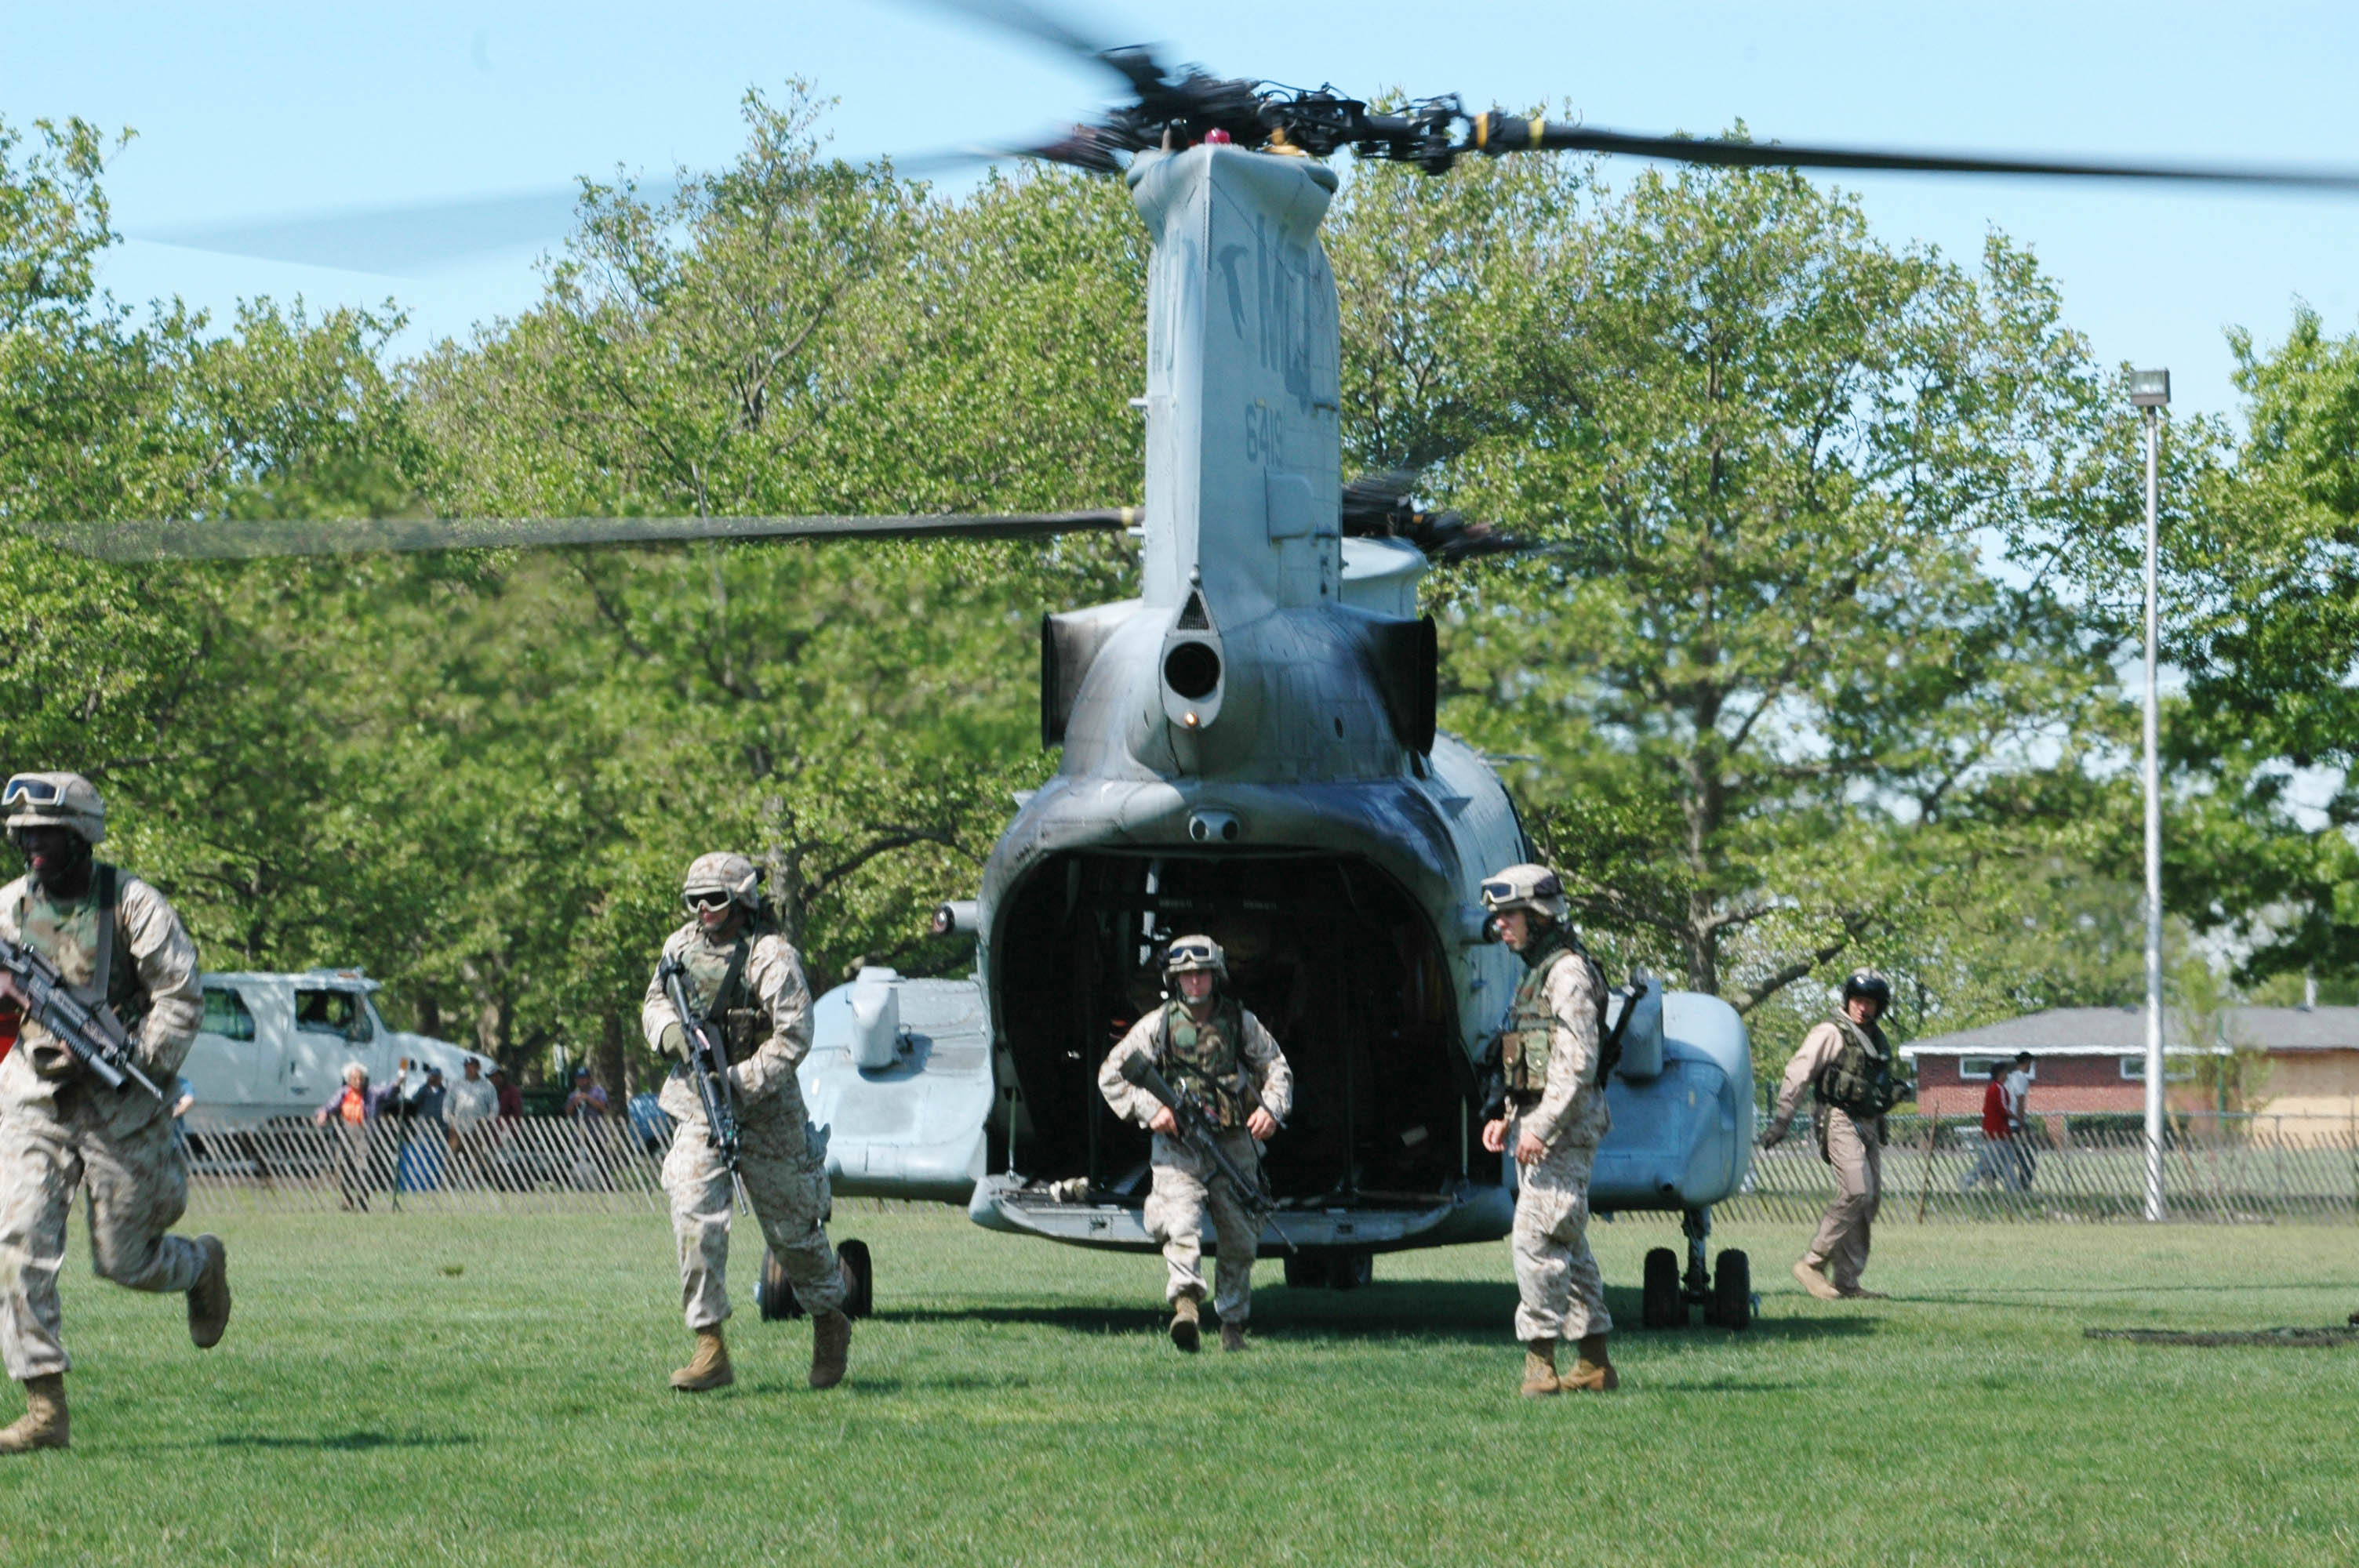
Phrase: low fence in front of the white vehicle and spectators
(508, 1166)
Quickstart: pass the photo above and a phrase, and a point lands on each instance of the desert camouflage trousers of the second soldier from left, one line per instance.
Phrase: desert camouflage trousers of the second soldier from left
(789, 1197)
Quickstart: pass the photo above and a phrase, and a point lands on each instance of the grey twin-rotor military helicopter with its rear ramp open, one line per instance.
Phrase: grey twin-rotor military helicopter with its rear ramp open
(1251, 751)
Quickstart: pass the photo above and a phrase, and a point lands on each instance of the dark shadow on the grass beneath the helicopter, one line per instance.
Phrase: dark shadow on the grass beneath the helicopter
(1466, 1312)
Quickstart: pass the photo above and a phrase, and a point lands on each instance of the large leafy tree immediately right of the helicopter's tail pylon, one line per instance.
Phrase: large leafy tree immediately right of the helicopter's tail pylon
(1778, 697)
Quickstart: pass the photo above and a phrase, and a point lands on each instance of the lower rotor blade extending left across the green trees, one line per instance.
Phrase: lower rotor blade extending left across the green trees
(169, 541)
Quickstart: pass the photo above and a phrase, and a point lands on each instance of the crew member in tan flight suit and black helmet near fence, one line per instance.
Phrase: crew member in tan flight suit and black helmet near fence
(1855, 1079)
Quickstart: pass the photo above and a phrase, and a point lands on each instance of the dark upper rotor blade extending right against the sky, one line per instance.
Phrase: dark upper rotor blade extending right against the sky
(1497, 133)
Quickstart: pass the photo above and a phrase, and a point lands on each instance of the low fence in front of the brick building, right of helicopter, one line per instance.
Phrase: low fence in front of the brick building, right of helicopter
(2072, 1168)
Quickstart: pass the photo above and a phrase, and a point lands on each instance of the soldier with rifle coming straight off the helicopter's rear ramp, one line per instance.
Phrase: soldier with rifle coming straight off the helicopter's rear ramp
(1211, 1048)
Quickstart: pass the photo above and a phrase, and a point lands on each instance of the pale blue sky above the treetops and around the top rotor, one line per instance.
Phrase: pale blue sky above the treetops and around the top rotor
(268, 110)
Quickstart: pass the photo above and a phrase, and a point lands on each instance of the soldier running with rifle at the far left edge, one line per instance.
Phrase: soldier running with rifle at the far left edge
(60, 1131)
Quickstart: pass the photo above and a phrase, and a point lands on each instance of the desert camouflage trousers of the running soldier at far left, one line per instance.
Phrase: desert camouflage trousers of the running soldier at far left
(136, 1185)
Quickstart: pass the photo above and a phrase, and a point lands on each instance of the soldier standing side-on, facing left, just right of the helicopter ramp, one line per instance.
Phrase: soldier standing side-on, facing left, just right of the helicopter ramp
(1553, 1119)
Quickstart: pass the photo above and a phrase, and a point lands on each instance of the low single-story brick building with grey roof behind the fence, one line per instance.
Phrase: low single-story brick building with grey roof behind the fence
(2094, 1060)
